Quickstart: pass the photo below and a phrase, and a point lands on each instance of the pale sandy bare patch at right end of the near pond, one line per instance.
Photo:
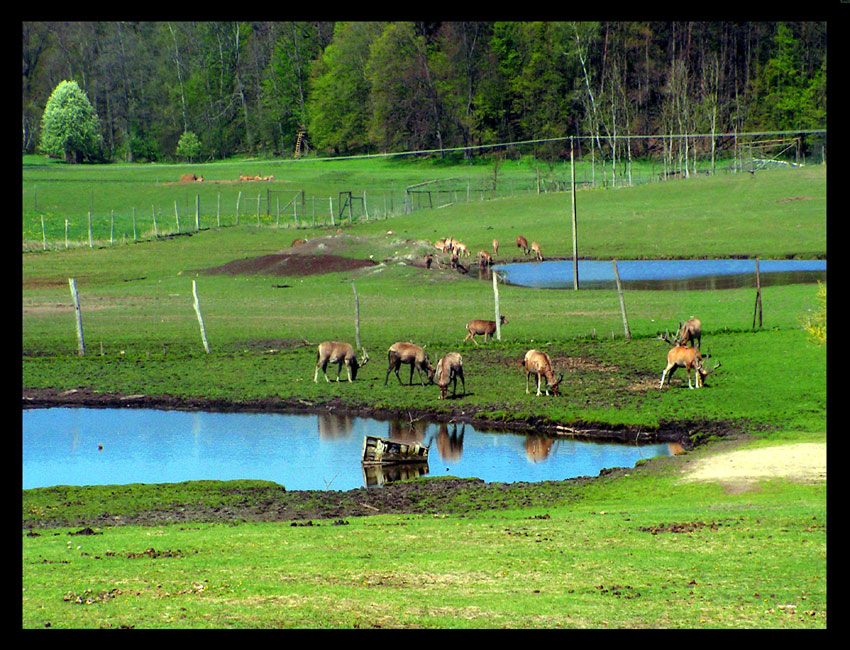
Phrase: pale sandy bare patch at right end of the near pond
(741, 469)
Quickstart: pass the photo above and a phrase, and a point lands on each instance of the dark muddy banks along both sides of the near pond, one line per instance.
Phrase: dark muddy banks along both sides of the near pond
(331, 507)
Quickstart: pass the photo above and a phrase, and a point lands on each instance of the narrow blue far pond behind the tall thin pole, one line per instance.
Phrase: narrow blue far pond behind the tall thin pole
(666, 275)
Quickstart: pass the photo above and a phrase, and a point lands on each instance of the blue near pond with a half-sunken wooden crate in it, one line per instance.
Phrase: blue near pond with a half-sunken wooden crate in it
(81, 446)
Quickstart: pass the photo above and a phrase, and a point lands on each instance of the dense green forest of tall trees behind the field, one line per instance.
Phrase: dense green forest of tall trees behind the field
(266, 88)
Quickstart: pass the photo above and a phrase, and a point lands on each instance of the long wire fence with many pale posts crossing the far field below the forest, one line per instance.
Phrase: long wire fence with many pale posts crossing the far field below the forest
(600, 162)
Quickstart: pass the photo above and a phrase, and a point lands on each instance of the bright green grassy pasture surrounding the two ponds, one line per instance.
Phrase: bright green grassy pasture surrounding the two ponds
(575, 556)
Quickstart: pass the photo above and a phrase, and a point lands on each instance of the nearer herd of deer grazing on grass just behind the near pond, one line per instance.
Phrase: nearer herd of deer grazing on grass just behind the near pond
(450, 367)
